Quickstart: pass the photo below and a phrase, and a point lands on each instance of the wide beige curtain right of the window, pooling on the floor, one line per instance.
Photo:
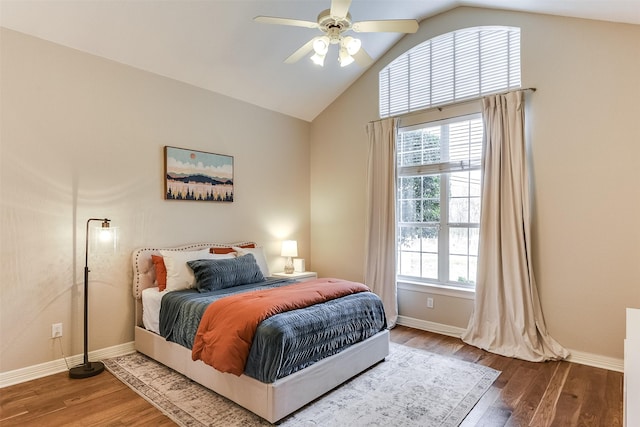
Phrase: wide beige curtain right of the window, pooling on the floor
(507, 317)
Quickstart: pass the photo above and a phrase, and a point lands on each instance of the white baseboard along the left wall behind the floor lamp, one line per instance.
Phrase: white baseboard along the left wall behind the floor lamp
(49, 368)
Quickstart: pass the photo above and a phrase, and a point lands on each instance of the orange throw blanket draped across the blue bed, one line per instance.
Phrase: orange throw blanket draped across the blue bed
(227, 327)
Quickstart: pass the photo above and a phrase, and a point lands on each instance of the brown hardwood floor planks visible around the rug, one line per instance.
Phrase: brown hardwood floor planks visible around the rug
(525, 394)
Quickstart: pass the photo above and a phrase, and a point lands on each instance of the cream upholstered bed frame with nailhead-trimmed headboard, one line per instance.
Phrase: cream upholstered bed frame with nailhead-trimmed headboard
(271, 401)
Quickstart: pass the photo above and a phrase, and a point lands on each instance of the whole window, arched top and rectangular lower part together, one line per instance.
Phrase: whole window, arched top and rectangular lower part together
(438, 162)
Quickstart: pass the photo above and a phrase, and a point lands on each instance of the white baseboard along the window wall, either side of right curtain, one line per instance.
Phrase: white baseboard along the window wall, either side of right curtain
(580, 357)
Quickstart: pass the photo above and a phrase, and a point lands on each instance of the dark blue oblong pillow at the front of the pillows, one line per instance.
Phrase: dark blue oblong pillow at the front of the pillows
(215, 274)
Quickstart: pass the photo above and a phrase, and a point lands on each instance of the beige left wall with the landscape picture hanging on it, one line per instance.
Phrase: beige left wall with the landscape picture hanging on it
(83, 137)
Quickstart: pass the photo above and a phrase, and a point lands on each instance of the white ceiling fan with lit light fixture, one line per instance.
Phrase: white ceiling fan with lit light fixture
(334, 22)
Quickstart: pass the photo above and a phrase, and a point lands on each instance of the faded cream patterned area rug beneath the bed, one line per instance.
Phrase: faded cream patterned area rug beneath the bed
(410, 388)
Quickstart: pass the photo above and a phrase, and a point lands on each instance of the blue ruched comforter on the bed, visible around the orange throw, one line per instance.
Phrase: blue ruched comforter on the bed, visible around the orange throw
(286, 342)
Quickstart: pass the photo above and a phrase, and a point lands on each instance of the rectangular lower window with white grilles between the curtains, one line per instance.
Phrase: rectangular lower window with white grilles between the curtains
(438, 201)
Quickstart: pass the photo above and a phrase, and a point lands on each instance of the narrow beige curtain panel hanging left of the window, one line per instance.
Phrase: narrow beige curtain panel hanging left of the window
(380, 222)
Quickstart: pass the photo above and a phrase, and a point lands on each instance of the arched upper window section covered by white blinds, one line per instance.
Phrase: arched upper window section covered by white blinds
(458, 65)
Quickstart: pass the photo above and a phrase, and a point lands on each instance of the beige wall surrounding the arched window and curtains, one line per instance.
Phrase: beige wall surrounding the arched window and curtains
(584, 133)
